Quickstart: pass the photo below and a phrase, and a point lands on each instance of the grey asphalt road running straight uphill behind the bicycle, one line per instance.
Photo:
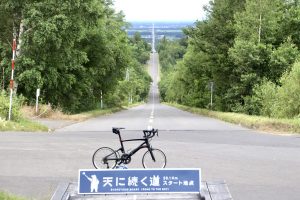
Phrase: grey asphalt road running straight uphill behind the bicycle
(254, 165)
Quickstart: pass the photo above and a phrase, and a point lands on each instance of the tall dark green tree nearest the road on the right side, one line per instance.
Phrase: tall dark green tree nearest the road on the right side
(209, 42)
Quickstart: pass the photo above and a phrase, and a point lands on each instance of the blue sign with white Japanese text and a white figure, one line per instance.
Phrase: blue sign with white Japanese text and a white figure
(126, 181)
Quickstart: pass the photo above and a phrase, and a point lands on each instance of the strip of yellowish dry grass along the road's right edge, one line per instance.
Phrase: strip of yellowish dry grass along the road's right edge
(254, 122)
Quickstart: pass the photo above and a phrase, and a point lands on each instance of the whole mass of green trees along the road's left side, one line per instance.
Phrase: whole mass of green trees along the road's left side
(72, 51)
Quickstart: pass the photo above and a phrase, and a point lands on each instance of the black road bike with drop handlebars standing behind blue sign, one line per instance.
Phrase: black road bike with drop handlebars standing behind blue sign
(106, 157)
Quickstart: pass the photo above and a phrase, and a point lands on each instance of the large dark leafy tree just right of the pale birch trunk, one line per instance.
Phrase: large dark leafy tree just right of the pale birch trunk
(52, 55)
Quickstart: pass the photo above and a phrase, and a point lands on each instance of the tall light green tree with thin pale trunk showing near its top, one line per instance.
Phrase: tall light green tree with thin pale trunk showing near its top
(257, 35)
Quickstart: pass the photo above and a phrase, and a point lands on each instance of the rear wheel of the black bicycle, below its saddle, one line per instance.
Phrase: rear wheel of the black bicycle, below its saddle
(105, 158)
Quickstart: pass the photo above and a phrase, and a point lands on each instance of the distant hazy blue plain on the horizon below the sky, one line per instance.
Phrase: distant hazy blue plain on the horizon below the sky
(172, 30)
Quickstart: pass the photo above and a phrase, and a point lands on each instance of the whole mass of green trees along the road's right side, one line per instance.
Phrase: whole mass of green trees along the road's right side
(240, 46)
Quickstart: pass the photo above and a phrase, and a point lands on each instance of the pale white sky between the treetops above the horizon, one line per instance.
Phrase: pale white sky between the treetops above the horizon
(161, 10)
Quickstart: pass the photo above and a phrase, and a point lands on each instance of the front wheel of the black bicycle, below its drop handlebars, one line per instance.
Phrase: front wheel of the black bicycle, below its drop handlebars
(158, 160)
